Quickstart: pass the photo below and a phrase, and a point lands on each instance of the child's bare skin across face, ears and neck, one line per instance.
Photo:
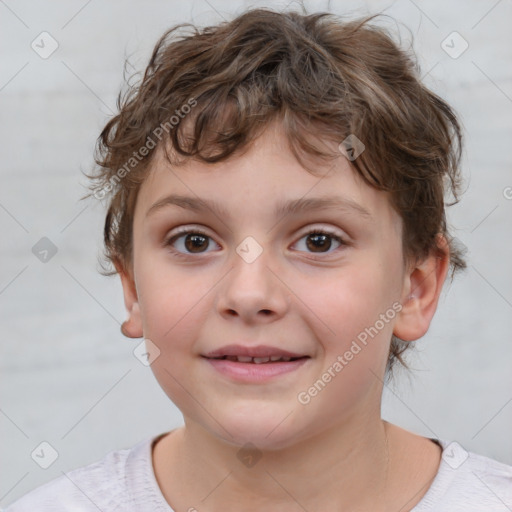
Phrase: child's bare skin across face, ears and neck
(335, 453)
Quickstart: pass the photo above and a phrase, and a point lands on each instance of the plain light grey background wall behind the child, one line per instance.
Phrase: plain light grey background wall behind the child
(69, 377)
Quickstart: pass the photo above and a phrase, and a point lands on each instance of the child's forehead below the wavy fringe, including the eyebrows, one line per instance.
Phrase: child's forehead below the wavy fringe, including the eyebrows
(266, 180)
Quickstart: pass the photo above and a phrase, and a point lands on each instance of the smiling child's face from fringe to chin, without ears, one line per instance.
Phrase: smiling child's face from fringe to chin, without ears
(311, 281)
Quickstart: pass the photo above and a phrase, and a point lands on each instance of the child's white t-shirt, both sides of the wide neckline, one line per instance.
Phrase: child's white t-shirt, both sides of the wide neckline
(124, 481)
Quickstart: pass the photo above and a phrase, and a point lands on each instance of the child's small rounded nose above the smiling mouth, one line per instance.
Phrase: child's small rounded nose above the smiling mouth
(252, 291)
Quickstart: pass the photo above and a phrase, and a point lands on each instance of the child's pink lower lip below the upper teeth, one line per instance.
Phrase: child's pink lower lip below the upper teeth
(254, 372)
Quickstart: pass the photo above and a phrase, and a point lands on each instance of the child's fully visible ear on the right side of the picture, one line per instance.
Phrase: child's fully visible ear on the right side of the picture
(421, 291)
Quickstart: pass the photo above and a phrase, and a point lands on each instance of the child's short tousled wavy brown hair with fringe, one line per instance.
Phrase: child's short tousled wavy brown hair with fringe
(317, 74)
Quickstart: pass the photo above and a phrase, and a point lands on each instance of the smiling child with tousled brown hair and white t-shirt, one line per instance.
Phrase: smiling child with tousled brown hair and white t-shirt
(276, 214)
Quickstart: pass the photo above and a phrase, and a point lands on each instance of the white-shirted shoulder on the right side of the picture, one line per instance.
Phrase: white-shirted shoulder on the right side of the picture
(468, 482)
